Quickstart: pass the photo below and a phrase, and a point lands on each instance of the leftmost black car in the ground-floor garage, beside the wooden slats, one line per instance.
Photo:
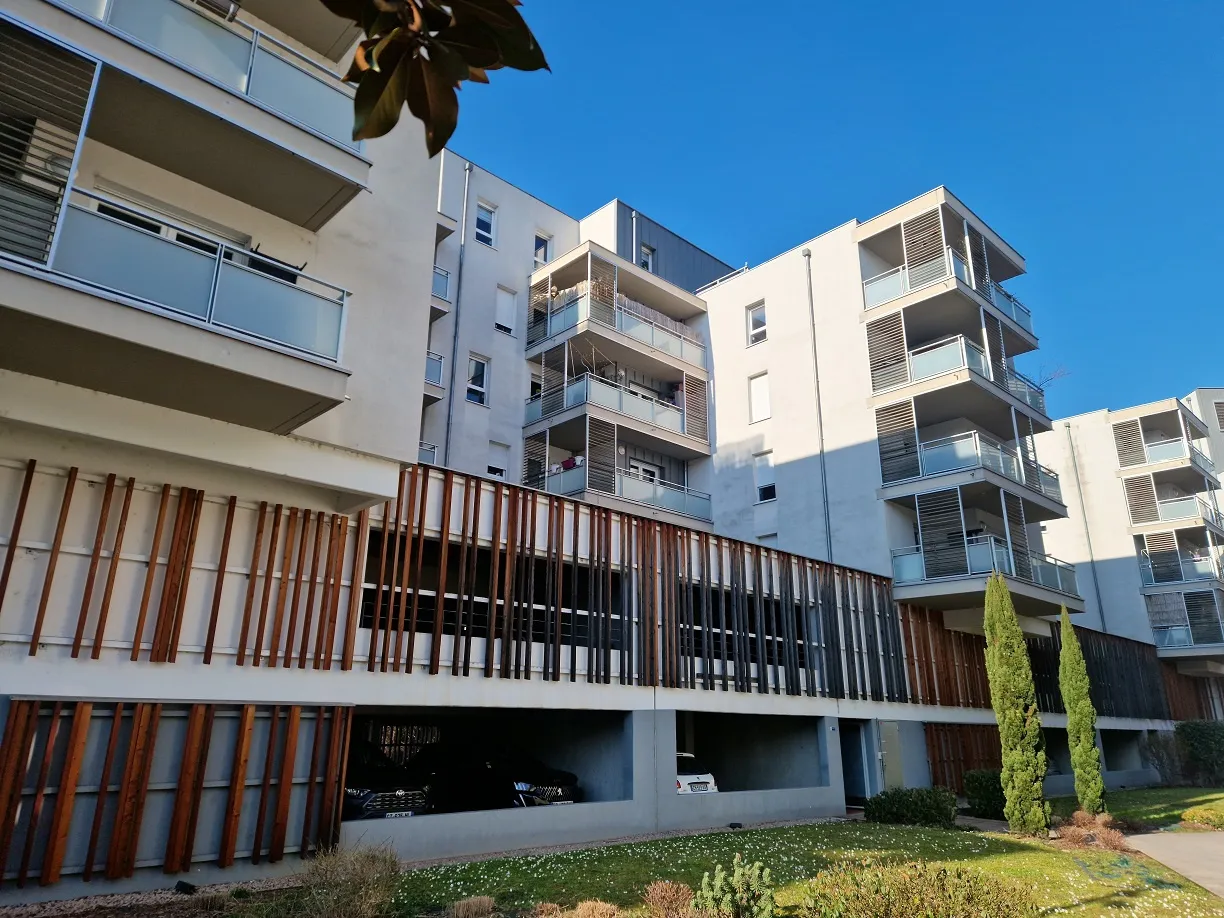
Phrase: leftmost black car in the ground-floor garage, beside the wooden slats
(376, 788)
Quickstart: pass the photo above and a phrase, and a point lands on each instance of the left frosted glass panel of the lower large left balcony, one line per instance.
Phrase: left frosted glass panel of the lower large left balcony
(135, 263)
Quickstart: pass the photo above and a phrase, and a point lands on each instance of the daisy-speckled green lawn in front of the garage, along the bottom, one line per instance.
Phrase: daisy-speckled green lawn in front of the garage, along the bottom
(1064, 883)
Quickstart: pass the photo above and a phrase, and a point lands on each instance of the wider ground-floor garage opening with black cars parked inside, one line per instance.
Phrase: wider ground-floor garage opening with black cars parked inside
(413, 762)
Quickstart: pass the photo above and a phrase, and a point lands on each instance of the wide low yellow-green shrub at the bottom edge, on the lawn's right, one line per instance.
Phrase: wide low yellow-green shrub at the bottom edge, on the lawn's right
(911, 890)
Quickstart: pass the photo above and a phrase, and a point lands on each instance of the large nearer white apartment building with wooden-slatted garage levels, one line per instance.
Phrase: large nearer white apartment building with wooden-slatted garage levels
(312, 447)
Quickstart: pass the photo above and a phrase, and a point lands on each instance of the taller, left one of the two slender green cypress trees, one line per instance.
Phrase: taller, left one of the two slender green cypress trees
(1014, 700)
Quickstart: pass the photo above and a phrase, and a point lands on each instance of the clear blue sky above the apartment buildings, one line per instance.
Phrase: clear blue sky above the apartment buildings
(1091, 135)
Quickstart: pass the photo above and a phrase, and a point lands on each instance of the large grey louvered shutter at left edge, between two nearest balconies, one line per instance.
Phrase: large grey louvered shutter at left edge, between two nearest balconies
(45, 91)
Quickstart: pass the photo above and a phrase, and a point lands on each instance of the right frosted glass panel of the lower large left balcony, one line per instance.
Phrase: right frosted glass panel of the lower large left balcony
(252, 302)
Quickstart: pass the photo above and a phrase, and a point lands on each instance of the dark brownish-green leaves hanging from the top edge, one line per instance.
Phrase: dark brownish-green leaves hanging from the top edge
(418, 53)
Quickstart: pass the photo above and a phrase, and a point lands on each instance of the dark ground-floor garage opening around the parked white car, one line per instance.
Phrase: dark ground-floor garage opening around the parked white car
(748, 752)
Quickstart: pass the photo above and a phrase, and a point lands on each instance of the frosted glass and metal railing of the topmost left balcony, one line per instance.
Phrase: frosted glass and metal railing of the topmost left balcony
(237, 57)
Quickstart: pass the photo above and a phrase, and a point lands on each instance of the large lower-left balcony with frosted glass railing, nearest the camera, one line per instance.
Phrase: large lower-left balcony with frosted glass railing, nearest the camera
(136, 307)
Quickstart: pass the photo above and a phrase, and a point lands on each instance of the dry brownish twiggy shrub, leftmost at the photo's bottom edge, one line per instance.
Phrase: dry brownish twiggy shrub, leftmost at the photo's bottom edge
(349, 883)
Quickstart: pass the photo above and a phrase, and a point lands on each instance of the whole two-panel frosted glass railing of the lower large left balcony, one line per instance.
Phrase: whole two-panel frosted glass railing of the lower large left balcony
(139, 255)
